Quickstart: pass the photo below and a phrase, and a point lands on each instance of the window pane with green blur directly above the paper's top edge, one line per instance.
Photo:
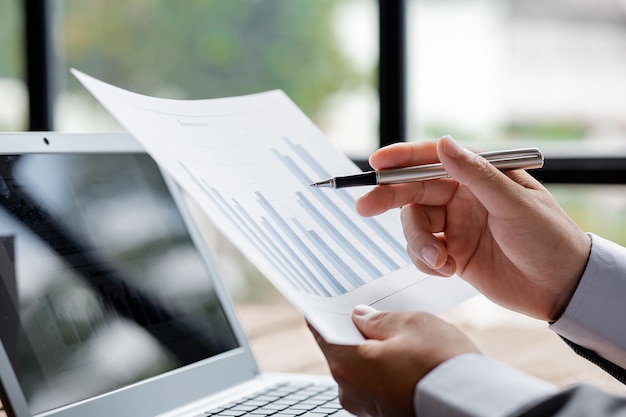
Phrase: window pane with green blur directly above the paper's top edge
(200, 49)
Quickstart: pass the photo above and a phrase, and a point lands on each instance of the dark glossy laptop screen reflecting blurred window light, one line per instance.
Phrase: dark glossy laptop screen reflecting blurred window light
(100, 283)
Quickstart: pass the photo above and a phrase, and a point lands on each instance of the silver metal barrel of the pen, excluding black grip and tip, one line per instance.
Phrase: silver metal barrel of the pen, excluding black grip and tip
(528, 158)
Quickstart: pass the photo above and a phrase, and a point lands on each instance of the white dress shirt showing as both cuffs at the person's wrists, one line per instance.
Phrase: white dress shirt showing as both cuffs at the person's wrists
(472, 385)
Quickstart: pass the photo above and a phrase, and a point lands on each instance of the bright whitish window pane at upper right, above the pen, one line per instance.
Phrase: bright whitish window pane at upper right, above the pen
(518, 71)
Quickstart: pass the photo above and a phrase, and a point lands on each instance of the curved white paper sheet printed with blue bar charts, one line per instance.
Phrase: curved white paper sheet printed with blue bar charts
(248, 162)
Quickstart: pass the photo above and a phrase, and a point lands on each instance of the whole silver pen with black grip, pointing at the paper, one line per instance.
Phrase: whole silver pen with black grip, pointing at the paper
(527, 158)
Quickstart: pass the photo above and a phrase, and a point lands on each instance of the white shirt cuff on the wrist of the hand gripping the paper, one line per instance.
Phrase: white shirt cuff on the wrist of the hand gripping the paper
(472, 385)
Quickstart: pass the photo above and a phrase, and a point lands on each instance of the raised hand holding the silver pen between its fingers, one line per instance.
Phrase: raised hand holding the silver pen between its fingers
(502, 232)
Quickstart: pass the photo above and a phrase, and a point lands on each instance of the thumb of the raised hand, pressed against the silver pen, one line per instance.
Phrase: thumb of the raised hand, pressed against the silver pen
(495, 190)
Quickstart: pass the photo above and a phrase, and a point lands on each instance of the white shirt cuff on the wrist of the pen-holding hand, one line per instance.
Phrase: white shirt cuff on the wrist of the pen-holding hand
(593, 318)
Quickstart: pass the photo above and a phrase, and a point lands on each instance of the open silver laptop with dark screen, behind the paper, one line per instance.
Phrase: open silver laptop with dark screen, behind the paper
(110, 304)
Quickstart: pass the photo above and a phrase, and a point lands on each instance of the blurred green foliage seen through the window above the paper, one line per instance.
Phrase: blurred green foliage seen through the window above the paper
(209, 48)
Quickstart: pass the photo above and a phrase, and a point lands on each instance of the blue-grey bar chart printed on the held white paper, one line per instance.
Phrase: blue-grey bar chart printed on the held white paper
(323, 248)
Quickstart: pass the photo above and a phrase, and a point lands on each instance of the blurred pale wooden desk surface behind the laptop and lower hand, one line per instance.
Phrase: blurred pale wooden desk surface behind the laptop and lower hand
(281, 342)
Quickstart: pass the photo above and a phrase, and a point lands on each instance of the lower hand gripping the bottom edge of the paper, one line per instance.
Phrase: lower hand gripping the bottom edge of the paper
(378, 377)
